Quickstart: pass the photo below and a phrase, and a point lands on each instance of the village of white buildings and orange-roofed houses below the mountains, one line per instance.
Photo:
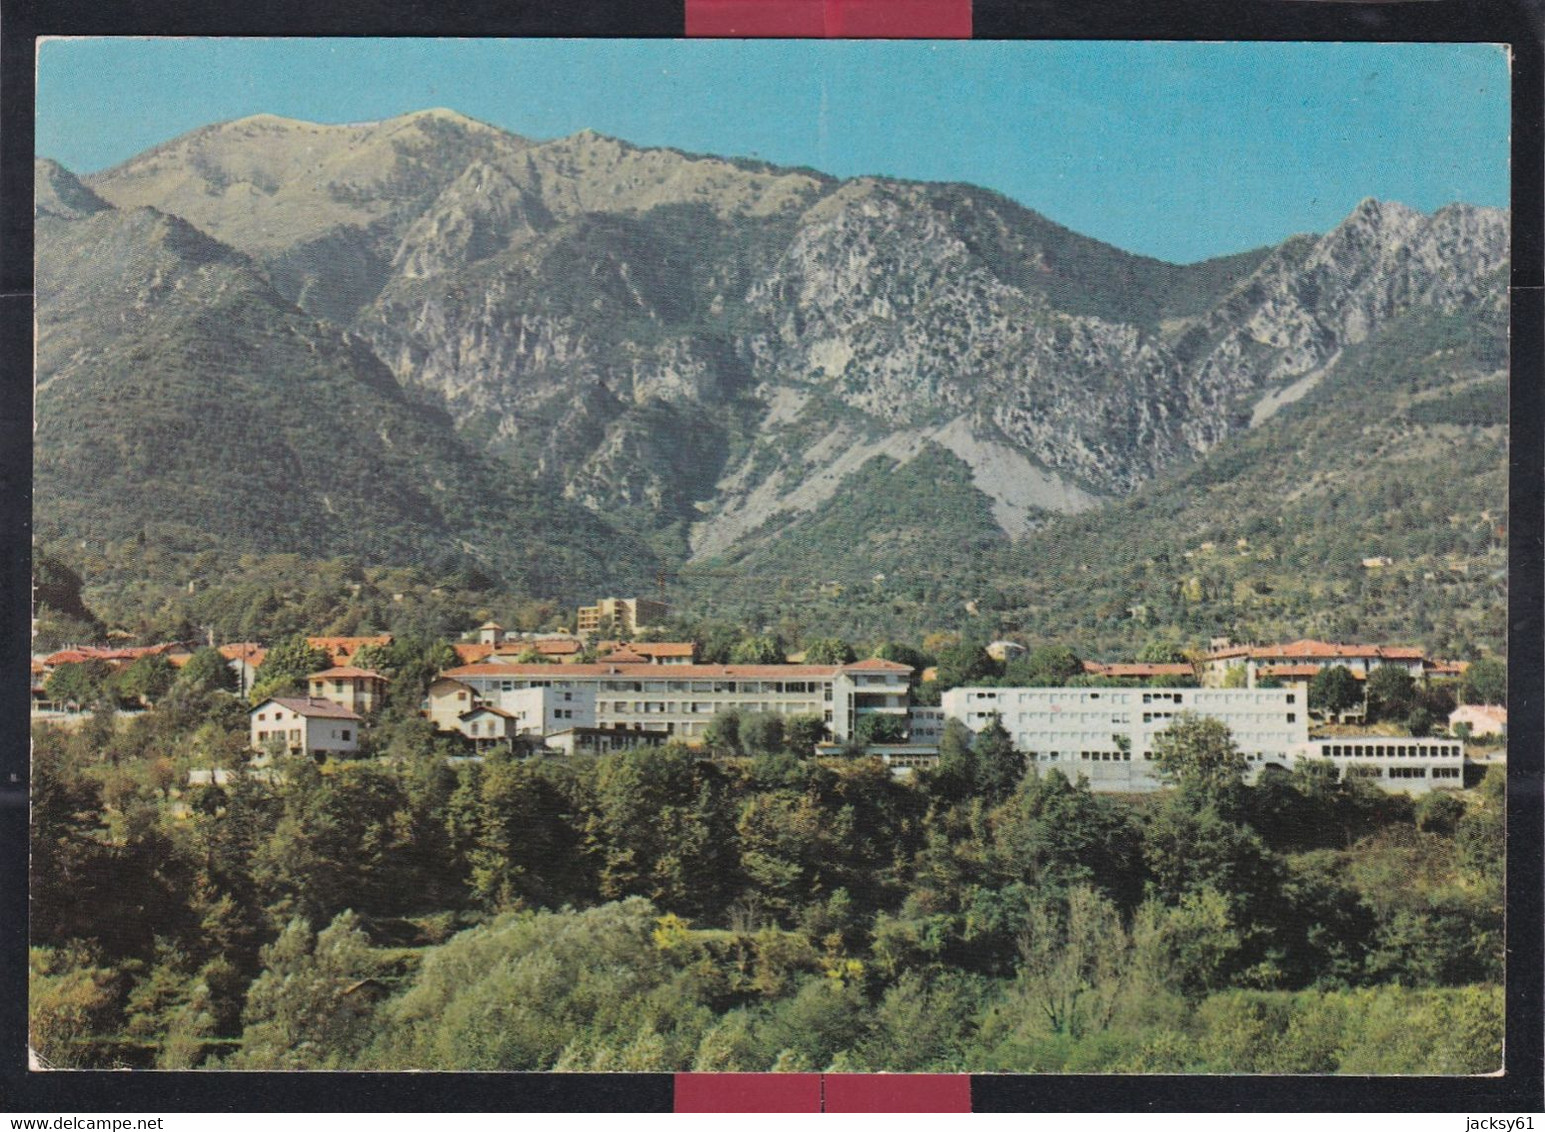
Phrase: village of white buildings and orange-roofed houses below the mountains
(610, 688)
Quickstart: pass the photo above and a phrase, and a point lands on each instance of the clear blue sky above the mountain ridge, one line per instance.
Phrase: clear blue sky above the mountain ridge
(1175, 151)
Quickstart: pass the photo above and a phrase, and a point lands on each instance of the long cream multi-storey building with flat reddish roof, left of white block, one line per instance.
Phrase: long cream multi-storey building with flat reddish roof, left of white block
(684, 699)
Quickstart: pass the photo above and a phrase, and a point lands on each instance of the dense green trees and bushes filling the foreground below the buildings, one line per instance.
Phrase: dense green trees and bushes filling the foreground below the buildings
(759, 910)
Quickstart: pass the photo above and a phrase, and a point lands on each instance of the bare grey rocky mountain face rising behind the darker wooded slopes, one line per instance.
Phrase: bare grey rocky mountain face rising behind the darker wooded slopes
(705, 345)
